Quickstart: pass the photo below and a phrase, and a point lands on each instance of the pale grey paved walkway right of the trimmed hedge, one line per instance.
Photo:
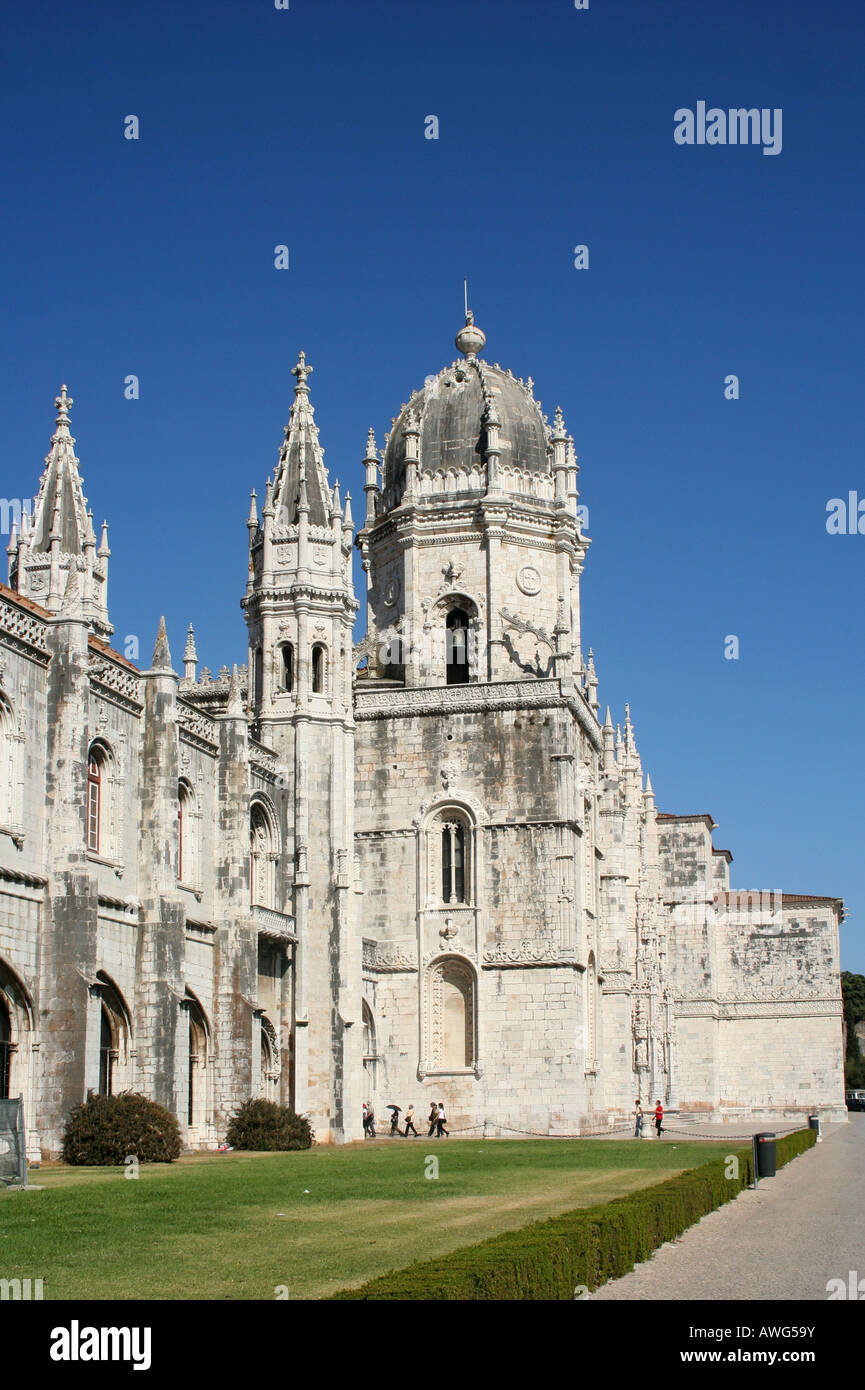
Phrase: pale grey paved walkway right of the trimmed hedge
(785, 1241)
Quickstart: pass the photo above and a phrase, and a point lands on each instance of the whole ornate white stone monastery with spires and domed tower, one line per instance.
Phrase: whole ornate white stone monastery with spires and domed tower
(419, 868)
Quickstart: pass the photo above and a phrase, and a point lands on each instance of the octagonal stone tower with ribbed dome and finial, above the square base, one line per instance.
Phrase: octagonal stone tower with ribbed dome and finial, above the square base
(472, 455)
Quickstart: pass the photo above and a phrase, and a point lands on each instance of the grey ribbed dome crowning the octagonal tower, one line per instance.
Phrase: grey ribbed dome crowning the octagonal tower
(450, 412)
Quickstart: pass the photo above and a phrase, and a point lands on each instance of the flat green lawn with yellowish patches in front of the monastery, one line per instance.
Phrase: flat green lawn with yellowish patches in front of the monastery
(240, 1225)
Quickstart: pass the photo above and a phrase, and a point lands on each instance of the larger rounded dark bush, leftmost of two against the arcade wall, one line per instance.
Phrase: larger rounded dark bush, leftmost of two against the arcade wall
(109, 1129)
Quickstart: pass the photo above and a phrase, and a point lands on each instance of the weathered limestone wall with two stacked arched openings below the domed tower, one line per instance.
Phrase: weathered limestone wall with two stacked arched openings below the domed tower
(522, 936)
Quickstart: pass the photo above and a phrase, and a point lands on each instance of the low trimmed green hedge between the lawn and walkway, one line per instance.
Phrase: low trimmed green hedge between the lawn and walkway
(589, 1246)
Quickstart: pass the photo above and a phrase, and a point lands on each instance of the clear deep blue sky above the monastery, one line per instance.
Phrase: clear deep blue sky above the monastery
(307, 127)
